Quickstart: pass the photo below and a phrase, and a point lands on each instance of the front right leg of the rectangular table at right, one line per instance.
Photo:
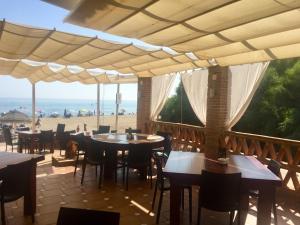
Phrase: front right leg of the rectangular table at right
(264, 205)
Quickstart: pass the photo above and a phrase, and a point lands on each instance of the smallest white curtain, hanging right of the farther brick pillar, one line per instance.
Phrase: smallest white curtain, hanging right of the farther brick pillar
(161, 87)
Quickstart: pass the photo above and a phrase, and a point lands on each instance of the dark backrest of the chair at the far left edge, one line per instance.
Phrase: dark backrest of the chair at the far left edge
(15, 179)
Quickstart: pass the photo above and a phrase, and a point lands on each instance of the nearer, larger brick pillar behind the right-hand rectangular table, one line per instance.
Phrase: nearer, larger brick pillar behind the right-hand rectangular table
(219, 87)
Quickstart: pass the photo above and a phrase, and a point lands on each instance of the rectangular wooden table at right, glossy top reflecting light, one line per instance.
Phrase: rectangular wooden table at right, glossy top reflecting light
(184, 168)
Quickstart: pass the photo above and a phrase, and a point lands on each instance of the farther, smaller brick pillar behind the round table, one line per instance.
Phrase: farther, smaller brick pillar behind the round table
(143, 103)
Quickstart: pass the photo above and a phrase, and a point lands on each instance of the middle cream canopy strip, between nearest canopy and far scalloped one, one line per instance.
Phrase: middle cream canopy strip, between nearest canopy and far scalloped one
(41, 45)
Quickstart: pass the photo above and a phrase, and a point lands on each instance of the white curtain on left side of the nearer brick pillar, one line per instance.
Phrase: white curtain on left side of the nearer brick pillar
(195, 86)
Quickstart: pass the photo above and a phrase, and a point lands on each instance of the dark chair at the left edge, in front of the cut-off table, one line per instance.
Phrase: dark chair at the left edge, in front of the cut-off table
(14, 184)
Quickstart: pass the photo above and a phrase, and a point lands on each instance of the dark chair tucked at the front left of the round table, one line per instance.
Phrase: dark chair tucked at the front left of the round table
(94, 155)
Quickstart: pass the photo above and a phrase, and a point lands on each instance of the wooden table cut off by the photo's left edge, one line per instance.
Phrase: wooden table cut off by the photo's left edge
(10, 158)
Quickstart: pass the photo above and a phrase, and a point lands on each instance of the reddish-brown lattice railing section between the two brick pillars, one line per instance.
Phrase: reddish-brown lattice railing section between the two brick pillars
(185, 137)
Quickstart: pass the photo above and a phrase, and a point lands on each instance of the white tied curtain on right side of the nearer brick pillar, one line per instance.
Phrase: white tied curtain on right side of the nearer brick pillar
(245, 80)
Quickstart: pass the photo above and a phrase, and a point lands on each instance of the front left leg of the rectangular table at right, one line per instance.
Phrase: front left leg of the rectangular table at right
(174, 203)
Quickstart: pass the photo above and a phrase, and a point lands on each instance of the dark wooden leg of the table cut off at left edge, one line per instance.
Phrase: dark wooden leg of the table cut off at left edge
(30, 193)
